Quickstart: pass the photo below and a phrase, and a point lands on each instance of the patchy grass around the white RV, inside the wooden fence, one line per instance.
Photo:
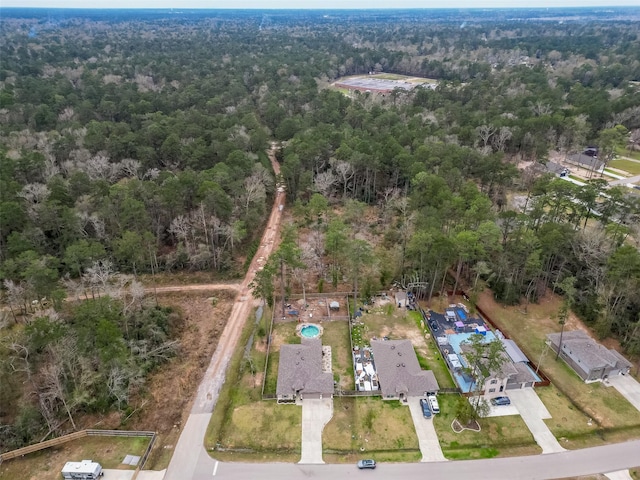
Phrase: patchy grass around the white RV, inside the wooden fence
(47, 464)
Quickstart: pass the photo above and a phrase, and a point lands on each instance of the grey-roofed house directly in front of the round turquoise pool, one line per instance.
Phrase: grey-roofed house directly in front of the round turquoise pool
(300, 372)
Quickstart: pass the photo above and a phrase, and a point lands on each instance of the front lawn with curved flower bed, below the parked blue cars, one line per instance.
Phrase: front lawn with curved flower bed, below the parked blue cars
(499, 436)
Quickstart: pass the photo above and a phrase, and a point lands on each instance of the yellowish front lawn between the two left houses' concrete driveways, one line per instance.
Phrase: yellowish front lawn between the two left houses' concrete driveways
(370, 426)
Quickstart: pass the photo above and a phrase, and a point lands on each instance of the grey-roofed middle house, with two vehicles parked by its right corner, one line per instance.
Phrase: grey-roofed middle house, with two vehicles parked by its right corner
(399, 372)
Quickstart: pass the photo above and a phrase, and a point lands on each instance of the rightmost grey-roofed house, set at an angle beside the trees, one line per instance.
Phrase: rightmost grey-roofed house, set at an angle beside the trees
(590, 360)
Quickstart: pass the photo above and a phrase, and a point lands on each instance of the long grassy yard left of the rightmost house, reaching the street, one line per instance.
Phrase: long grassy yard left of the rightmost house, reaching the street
(613, 417)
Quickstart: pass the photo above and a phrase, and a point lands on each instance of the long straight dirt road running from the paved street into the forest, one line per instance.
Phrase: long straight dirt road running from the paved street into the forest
(189, 451)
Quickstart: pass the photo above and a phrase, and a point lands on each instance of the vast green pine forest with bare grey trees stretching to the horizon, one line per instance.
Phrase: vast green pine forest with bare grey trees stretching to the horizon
(135, 142)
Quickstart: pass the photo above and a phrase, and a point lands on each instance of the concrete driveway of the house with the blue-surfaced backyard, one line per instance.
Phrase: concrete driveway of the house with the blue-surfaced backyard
(533, 411)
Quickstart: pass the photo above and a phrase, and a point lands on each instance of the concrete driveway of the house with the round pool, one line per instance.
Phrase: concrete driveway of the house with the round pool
(316, 413)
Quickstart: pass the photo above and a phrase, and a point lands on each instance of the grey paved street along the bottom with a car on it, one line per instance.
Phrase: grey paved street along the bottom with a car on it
(572, 463)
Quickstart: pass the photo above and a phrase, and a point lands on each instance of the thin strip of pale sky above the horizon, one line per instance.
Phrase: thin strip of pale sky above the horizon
(314, 4)
